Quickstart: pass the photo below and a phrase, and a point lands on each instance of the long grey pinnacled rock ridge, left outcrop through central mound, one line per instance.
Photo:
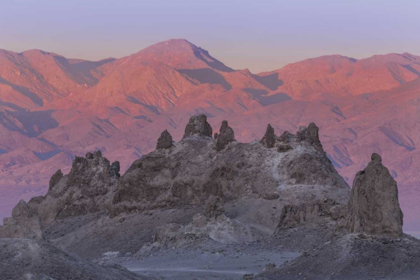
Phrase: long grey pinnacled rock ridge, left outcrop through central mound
(189, 174)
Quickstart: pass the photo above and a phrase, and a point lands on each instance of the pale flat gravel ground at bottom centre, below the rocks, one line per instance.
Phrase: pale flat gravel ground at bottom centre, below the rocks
(209, 260)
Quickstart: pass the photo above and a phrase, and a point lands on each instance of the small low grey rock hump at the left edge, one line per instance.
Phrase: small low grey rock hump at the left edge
(24, 223)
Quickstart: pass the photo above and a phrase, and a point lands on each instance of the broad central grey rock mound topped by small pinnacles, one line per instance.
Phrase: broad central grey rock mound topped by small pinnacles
(199, 168)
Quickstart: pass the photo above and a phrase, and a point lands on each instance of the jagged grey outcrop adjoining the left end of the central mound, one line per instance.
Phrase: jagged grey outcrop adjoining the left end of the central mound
(86, 189)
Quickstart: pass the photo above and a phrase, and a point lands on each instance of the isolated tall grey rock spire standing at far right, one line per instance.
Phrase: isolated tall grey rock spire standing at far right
(373, 207)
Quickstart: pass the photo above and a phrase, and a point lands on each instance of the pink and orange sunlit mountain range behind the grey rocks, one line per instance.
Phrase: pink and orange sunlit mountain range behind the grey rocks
(53, 108)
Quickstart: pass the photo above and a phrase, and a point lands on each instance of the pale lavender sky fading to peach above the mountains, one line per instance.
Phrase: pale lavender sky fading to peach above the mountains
(259, 35)
